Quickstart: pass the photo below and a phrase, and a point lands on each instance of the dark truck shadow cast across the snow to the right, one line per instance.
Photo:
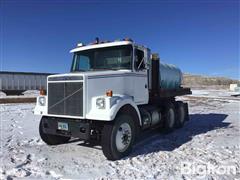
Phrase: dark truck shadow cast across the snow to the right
(198, 124)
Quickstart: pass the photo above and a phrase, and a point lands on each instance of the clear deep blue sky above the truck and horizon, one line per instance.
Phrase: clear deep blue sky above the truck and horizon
(200, 37)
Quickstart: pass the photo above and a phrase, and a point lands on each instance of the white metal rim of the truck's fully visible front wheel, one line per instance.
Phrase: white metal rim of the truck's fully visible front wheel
(123, 137)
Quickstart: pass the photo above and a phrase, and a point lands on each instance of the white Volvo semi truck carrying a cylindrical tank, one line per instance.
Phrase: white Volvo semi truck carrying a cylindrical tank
(114, 91)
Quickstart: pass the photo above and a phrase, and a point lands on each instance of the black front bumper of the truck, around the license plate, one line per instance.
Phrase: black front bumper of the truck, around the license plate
(76, 128)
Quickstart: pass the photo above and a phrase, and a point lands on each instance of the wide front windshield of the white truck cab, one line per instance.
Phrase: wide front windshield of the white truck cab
(109, 58)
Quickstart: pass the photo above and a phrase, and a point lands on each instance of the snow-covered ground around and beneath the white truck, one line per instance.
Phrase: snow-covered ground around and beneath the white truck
(211, 137)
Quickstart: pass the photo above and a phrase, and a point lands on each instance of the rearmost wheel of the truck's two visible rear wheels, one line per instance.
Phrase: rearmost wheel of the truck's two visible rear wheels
(180, 114)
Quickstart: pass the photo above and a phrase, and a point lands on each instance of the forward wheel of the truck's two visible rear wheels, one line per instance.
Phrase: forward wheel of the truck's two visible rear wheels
(170, 117)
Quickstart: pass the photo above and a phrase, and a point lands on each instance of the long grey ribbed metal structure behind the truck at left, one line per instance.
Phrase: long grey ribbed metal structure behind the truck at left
(15, 83)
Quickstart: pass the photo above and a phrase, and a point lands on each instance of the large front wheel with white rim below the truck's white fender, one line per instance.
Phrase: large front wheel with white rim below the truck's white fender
(118, 137)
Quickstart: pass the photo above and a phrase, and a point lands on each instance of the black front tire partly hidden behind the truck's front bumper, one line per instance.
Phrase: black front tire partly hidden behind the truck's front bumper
(51, 139)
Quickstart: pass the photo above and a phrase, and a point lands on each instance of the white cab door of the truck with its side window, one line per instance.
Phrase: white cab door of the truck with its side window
(140, 78)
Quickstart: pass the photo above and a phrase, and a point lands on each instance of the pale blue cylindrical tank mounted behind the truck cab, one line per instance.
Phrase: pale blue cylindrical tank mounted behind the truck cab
(170, 77)
